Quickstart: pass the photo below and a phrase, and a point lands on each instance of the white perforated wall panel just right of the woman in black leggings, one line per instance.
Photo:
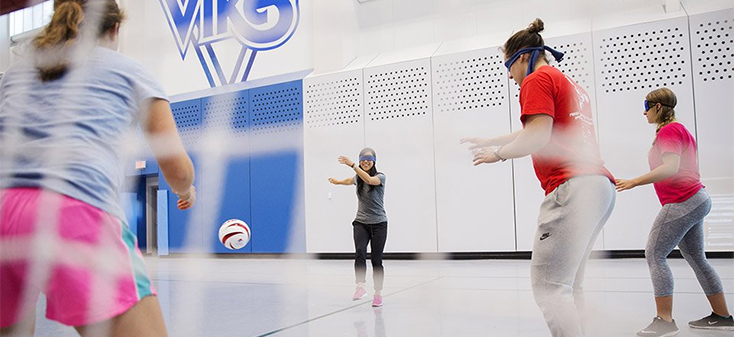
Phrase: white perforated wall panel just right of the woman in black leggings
(398, 125)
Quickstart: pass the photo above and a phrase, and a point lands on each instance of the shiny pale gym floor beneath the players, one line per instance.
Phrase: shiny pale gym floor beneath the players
(213, 296)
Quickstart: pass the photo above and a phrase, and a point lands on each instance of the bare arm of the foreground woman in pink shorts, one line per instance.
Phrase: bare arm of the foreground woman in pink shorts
(165, 142)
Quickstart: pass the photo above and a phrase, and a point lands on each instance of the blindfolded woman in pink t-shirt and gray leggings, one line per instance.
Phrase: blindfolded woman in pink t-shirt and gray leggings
(674, 174)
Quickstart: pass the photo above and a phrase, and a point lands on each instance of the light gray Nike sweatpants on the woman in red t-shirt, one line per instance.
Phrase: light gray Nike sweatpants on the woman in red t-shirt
(570, 219)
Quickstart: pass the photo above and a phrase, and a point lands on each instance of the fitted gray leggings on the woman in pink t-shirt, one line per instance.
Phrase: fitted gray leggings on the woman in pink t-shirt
(681, 224)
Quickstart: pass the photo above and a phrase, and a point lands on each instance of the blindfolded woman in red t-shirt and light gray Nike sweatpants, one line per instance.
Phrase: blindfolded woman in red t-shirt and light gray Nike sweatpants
(558, 132)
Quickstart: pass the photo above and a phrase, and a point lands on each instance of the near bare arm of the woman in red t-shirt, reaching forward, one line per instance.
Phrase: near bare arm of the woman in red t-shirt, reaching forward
(533, 137)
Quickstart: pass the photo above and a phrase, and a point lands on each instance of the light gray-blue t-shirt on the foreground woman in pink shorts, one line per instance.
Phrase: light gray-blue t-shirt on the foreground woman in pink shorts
(67, 135)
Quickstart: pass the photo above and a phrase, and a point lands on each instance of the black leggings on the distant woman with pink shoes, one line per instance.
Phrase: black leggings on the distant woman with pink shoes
(376, 234)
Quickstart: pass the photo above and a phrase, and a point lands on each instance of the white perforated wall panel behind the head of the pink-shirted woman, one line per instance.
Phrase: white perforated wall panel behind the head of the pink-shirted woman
(631, 61)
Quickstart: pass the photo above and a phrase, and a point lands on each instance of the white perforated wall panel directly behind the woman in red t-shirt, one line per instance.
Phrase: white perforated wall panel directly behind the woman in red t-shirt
(578, 63)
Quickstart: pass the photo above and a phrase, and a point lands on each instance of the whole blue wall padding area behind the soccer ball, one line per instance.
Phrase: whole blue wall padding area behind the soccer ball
(262, 188)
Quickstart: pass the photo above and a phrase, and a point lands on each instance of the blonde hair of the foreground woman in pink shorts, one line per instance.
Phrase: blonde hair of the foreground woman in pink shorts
(64, 30)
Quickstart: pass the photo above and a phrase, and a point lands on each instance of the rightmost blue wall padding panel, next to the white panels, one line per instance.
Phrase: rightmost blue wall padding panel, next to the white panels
(276, 122)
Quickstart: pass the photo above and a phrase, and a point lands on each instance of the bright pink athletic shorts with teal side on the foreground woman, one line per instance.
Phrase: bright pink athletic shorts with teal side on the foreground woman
(83, 259)
